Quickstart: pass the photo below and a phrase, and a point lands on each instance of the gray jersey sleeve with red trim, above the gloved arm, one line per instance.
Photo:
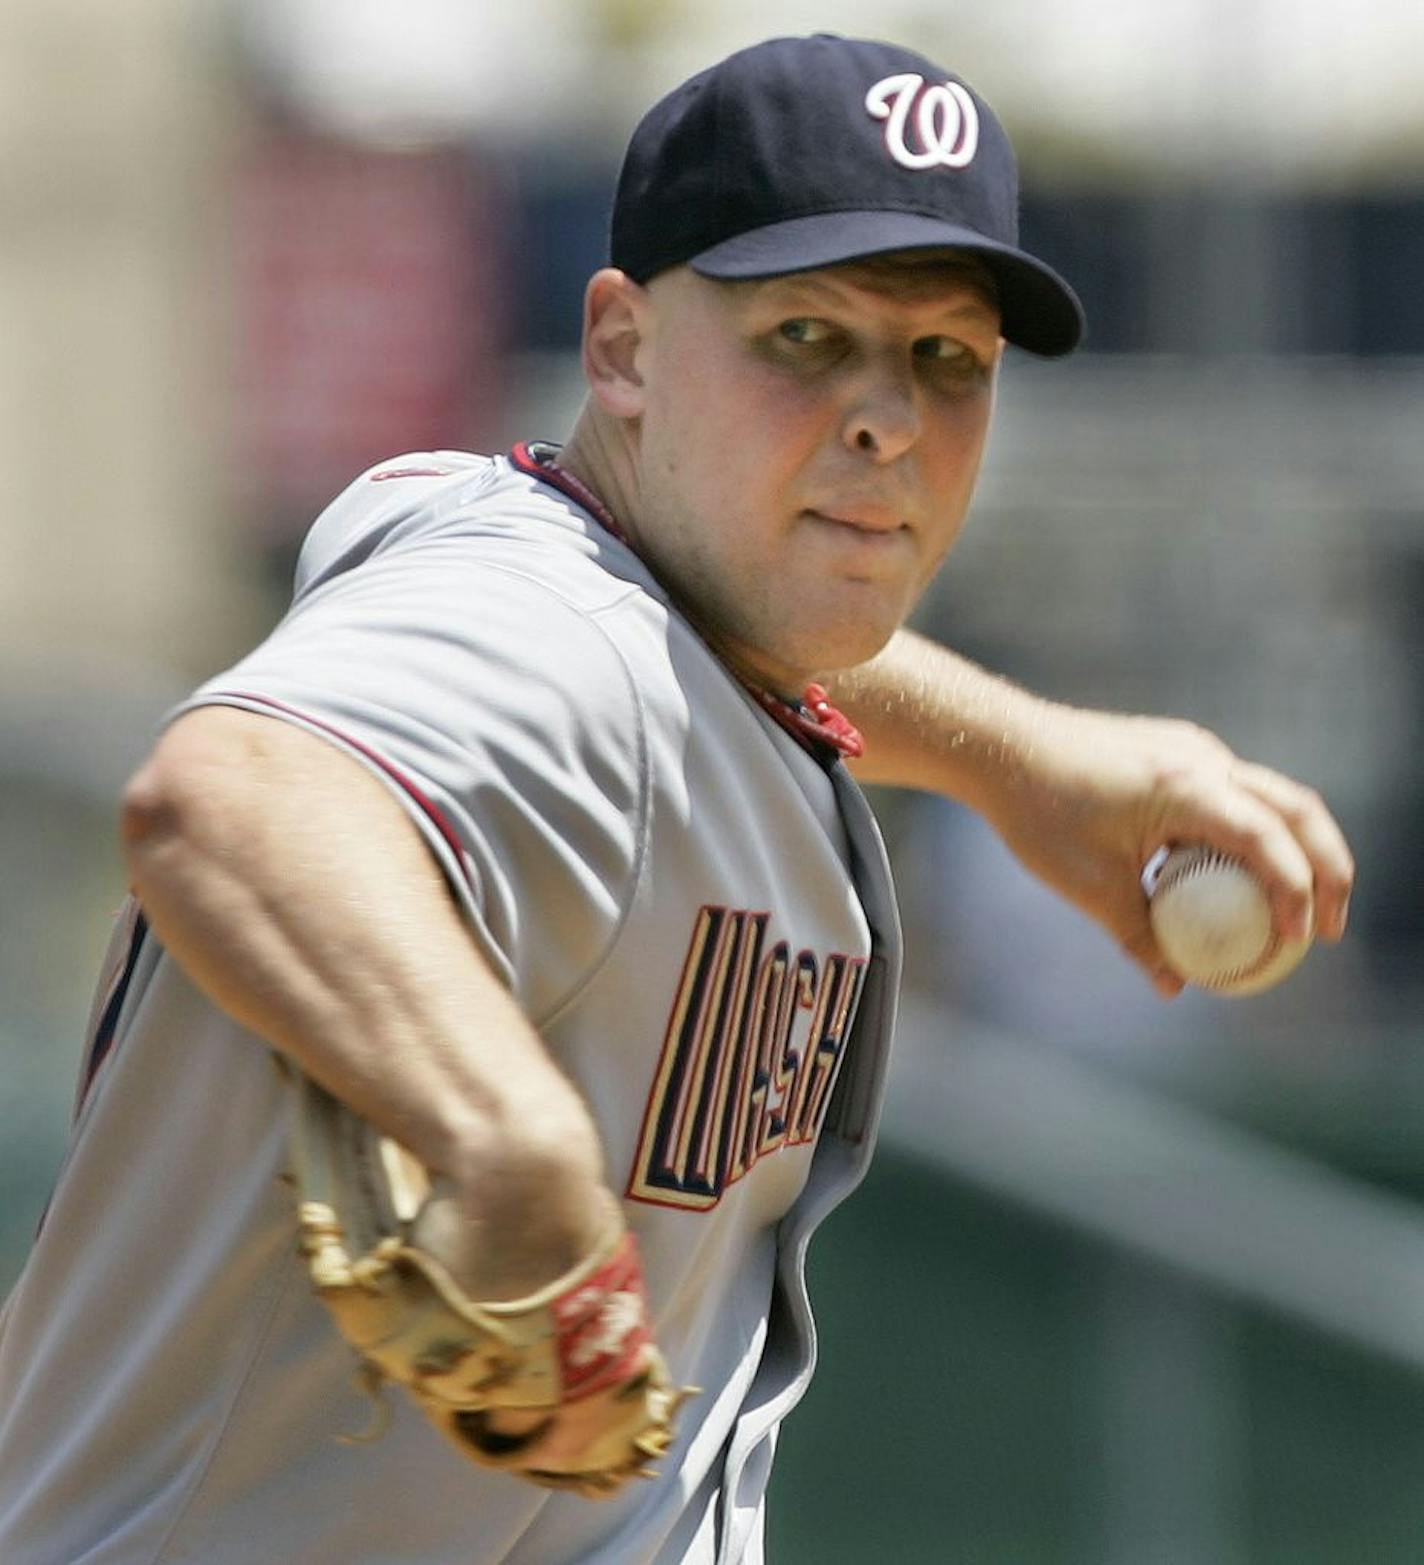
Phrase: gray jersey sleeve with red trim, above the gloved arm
(503, 718)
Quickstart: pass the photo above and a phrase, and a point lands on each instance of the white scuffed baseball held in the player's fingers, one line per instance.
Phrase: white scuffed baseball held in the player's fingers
(1212, 921)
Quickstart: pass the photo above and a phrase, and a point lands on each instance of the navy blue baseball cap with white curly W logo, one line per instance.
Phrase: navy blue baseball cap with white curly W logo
(805, 153)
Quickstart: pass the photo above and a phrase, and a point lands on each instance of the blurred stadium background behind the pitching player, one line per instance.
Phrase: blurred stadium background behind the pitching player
(1132, 1284)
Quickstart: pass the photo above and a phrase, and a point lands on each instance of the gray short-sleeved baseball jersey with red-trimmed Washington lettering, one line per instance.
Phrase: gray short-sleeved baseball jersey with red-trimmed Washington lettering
(691, 901)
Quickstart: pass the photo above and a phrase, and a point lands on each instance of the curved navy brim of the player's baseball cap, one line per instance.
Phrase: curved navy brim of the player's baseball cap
(1038, 309)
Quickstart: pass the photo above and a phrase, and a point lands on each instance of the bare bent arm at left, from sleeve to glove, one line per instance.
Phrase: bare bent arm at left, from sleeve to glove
(300, 896)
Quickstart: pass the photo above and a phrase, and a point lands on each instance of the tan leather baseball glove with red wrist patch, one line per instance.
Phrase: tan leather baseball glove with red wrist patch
(564, 1389)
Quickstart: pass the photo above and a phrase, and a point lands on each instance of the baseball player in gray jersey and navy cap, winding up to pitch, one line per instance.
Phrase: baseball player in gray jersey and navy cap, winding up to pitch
(523, 857)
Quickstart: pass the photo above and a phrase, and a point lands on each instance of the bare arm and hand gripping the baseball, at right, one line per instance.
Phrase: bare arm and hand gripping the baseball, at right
(1084, 799)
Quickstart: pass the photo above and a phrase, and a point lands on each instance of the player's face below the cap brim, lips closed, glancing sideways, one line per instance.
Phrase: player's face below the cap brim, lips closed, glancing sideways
(808, 448)
